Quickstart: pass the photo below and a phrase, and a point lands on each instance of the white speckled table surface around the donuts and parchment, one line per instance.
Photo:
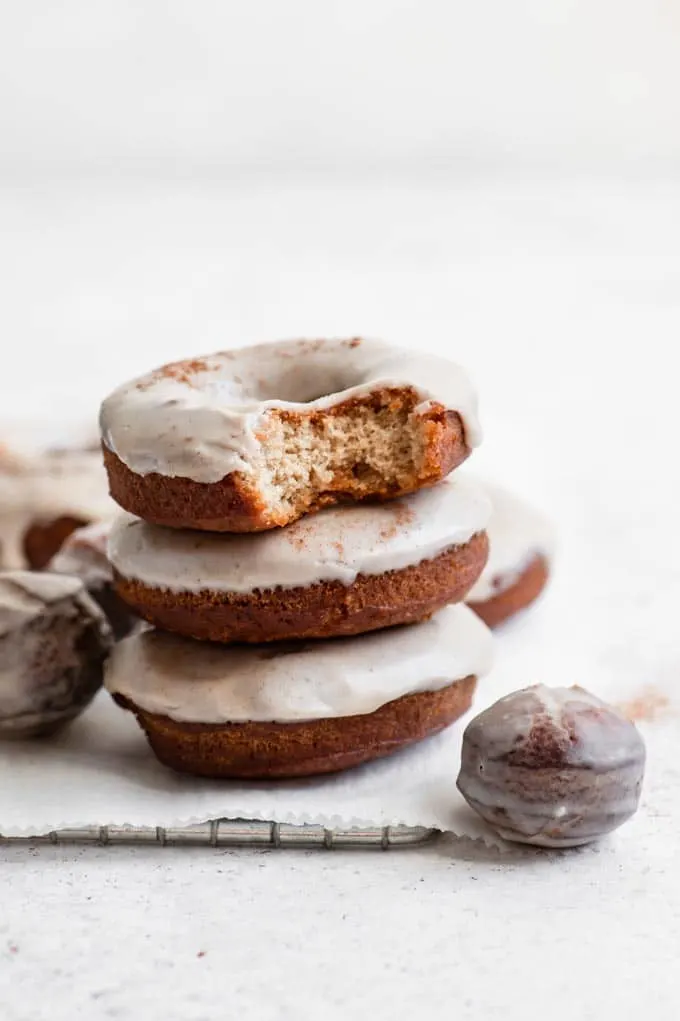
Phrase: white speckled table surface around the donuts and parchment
(565, 302)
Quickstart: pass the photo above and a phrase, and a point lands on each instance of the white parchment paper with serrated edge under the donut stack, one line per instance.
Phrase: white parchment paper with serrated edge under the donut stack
(102, 771)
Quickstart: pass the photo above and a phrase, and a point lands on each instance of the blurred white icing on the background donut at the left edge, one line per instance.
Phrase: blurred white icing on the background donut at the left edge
(38, 488)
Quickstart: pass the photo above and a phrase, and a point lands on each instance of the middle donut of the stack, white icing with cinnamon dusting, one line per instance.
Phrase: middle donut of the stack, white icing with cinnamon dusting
(342, 572)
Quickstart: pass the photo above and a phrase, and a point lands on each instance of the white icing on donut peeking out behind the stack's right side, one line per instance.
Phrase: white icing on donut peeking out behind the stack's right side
(518, 533)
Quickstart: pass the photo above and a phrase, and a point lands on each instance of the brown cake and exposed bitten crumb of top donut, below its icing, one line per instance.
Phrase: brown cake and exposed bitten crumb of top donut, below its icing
(378, 447)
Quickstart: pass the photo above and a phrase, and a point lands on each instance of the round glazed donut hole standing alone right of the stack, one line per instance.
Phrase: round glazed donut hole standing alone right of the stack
(553, 767)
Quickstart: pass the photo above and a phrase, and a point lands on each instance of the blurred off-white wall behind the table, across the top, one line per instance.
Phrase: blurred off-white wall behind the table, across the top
(215, 88)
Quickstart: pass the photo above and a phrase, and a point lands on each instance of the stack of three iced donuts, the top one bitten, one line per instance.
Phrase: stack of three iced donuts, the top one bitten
(302, 545)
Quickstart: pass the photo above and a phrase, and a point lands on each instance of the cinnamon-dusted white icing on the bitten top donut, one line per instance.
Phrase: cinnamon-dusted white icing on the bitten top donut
(203, 424)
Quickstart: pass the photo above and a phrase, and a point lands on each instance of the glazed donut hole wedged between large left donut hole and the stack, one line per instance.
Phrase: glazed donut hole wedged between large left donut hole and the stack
(84, 556)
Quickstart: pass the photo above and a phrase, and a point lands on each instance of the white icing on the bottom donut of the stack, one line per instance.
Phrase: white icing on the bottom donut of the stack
(201, 683)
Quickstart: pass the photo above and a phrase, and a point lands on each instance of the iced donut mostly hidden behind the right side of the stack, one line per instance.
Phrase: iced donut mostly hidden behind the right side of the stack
(521, 551)
